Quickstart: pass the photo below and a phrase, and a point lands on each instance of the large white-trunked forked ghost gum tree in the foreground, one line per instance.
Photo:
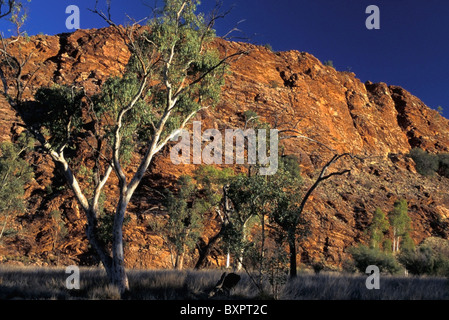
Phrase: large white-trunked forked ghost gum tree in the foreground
(173, 73)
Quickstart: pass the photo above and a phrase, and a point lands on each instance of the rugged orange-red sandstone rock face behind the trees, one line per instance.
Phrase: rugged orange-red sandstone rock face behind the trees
(377, 123)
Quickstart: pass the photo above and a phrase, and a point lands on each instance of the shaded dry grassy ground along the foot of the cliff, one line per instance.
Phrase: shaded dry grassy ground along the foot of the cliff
(49, 283)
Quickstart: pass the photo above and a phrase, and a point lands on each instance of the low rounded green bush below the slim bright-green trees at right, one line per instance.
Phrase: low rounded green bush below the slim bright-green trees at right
(364, 256)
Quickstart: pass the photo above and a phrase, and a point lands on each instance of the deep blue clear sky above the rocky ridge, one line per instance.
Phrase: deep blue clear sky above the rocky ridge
(411, 49)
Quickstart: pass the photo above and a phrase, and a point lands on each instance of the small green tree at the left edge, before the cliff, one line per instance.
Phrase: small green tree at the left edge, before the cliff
(15, 173)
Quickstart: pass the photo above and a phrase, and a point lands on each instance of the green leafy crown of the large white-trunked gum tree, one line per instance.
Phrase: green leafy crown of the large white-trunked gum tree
(194, 73)
